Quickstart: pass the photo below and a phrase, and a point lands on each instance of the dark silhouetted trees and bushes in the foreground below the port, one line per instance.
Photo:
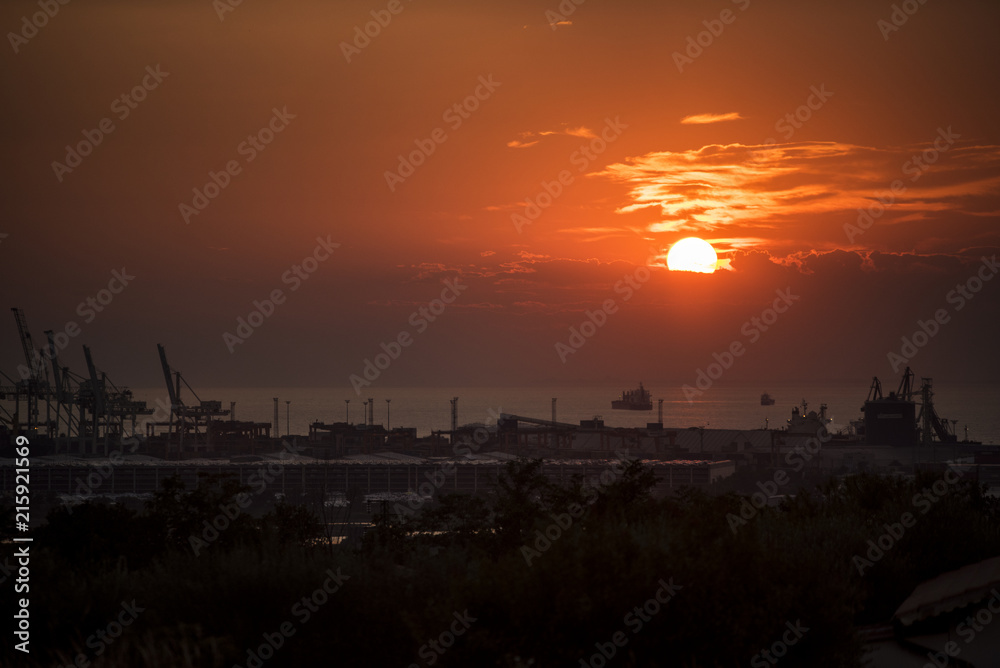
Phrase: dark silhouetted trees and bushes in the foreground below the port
(534, 574)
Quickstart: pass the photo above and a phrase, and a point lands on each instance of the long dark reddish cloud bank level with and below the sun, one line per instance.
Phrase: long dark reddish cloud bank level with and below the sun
(524, 282)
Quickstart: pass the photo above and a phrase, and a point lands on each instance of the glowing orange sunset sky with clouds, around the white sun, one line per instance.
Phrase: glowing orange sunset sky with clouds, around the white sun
(485, 192)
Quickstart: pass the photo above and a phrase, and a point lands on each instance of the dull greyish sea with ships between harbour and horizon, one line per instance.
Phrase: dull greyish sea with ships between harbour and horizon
(976, 407)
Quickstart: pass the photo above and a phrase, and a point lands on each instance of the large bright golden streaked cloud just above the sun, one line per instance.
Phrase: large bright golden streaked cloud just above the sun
(785, 193)
